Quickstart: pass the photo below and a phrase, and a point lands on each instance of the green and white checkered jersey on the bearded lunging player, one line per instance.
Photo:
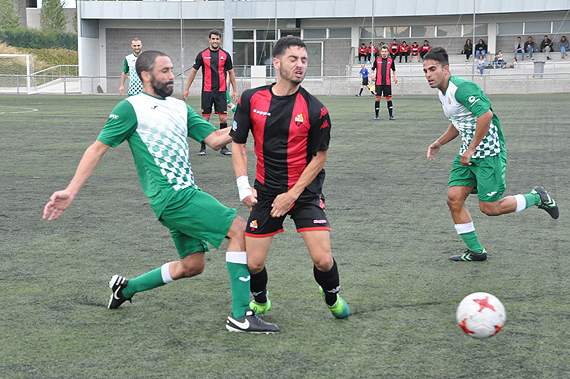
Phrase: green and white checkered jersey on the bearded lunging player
(157, 131)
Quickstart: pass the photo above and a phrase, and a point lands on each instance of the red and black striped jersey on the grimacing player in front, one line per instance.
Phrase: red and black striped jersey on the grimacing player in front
(287, 131)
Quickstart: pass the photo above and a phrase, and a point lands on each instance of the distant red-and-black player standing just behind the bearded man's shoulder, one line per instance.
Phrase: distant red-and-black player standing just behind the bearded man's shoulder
(215, 64)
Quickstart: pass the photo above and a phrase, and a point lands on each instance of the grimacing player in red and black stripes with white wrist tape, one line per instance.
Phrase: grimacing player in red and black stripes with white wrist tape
(291, 132)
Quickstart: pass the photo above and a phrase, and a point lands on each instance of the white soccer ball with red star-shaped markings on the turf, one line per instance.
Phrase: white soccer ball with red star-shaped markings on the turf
(481, 315)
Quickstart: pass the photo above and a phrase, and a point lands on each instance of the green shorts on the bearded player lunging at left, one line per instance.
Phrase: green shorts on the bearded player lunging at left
(194, 218)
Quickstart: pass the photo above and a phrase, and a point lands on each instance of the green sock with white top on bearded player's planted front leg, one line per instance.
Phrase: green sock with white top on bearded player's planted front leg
(240, 281)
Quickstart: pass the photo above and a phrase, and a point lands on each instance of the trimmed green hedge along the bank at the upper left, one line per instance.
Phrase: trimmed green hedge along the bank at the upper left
(39, 39)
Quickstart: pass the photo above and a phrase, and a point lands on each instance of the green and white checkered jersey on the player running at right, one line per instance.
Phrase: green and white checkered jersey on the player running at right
(463, 102)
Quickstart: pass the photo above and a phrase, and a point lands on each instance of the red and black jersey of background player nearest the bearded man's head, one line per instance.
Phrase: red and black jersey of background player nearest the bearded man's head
(215, 64)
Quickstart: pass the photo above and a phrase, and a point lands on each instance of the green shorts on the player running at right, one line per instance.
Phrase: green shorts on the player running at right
(485, 175)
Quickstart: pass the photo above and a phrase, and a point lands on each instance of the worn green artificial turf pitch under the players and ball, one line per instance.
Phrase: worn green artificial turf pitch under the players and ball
(392, 234)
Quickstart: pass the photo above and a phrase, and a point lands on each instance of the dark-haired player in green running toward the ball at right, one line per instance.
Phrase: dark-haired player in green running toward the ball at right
(480, 165)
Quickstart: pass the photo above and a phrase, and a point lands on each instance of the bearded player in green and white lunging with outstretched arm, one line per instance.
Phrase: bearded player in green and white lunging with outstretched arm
(156, 127)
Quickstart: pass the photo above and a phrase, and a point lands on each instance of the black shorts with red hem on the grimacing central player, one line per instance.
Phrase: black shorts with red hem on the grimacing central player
(308, 213)
